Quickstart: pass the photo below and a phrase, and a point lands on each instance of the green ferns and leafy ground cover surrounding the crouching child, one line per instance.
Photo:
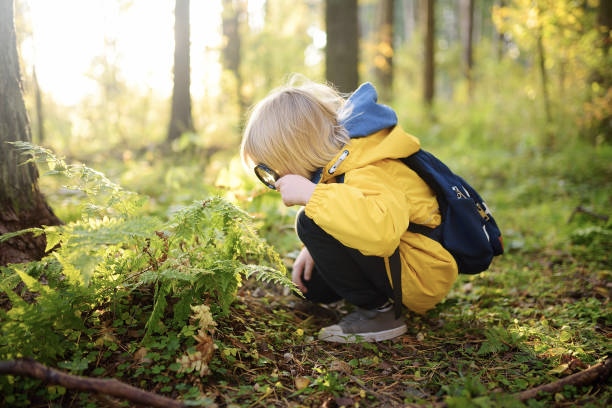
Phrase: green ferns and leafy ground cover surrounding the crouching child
(175, 304)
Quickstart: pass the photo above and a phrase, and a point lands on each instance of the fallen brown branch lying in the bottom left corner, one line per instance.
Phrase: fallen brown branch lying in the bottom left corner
(111, 387)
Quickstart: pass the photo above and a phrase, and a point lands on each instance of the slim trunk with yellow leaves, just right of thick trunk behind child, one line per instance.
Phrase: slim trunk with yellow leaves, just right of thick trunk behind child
(384, 49)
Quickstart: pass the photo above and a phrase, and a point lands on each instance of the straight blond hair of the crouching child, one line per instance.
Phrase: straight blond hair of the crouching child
(296, 129)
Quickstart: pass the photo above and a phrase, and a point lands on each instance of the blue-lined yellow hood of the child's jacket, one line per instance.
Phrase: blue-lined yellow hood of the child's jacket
(385, 138)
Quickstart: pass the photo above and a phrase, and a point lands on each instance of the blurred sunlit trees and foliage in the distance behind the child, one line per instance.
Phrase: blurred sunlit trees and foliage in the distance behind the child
(518, 74)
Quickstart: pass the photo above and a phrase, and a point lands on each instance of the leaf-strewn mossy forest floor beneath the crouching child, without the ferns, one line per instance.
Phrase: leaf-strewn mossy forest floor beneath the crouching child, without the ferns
(531, 320)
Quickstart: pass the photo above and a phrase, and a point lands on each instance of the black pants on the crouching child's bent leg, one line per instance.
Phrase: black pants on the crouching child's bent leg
(341, 272)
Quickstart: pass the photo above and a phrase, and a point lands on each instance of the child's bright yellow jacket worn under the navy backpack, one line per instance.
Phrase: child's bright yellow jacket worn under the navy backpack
(370, 211)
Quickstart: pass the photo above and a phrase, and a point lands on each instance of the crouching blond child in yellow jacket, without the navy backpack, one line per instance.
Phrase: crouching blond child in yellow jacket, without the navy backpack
(339, 159)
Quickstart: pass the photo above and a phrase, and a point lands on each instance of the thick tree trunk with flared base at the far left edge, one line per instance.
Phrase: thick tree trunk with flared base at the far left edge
(21, 203)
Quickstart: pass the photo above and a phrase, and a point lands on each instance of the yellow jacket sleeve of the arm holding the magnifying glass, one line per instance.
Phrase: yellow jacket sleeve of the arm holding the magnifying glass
(370, 211)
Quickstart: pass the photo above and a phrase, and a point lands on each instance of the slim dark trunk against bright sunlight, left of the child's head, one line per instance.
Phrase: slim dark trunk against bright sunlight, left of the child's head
(180, 119)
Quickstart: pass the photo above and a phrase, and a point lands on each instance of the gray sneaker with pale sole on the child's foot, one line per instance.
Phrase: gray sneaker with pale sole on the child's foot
(365, 325)
